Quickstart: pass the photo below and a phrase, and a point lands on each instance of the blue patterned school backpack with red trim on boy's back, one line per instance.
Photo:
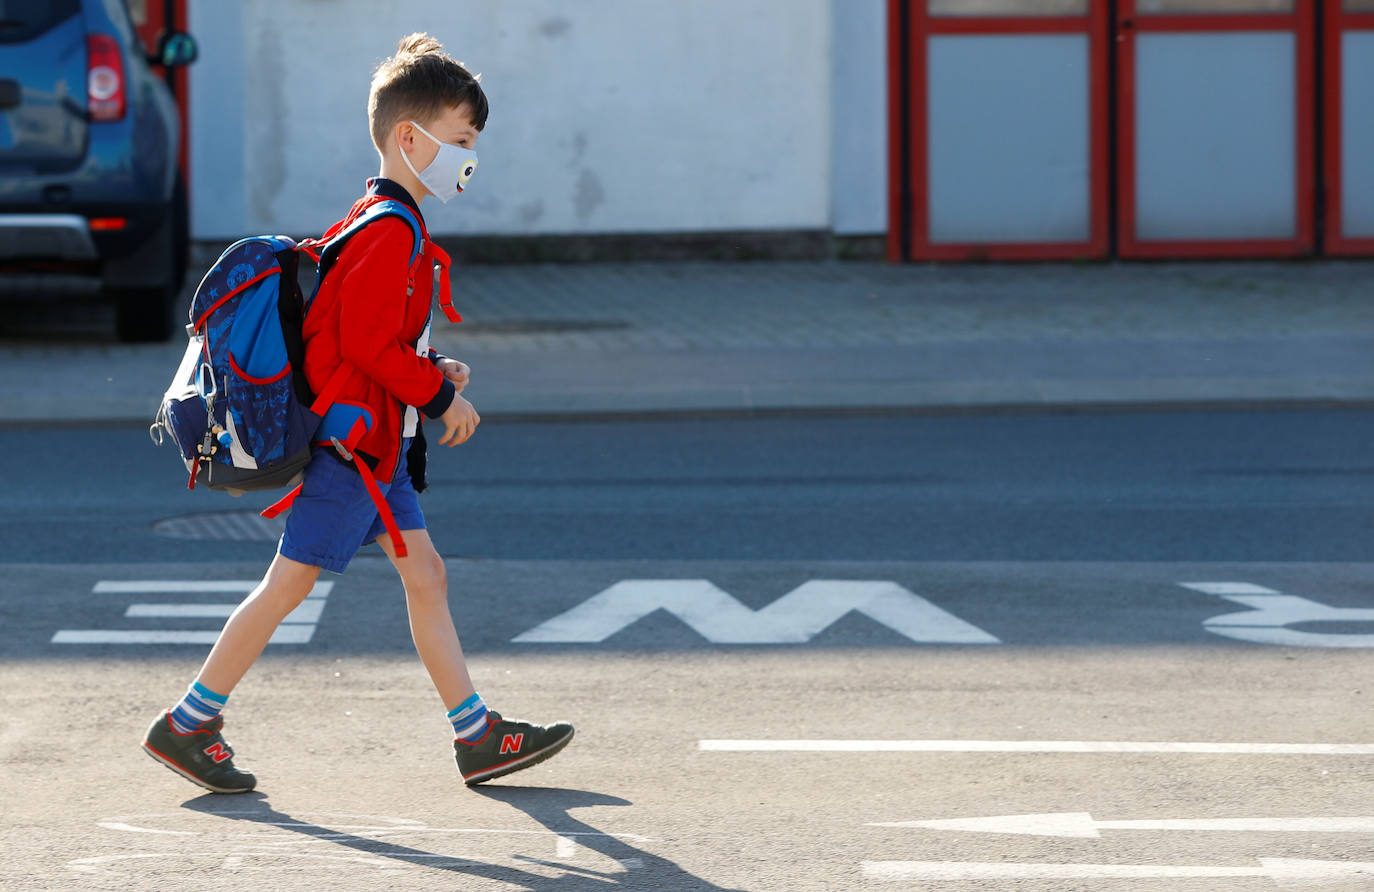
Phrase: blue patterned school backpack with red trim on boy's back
(240, 408)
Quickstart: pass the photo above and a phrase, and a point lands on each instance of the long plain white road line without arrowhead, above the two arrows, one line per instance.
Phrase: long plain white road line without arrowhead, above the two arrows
(1026, 747)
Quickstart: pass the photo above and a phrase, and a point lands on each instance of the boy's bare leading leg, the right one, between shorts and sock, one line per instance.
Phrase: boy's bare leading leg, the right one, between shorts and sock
(432, 625)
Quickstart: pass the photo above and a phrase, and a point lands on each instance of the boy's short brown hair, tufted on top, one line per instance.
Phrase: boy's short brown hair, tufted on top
(420, 83)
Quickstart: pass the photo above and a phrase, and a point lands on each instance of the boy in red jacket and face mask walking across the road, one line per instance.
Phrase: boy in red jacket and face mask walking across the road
(427, 112)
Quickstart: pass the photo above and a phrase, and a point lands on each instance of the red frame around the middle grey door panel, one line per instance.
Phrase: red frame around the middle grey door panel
(1302, 25)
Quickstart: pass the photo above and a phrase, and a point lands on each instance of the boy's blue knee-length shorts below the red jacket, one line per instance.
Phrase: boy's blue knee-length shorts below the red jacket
(335, 516)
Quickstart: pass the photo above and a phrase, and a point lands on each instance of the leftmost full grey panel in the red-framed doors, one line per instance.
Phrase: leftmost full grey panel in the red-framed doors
(1009, 138)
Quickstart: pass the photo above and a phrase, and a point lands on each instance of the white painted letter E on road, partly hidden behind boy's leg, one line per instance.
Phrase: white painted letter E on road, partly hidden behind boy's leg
(299, 627)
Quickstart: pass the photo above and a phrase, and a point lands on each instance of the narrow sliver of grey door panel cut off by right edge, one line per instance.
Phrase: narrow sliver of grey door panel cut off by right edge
(1358, 134)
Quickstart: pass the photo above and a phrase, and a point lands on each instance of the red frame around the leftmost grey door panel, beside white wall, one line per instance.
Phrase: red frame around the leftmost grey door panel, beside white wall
(921, 28)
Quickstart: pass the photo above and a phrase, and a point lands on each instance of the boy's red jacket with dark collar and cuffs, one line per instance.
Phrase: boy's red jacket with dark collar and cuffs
(363, 315)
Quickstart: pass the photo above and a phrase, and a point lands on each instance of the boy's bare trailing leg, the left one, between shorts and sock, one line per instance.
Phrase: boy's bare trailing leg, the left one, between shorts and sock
(248, 630)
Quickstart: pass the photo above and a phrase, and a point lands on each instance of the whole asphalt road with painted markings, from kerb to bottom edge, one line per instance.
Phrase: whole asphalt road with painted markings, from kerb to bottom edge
(1158, 625)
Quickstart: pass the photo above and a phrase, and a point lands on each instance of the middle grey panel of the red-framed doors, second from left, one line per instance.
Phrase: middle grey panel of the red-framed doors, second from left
(1215, 142)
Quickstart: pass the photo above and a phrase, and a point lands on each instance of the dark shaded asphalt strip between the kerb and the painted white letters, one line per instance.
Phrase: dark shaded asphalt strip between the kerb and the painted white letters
(1284, 486)
